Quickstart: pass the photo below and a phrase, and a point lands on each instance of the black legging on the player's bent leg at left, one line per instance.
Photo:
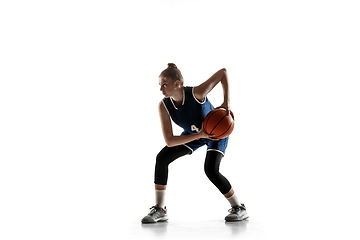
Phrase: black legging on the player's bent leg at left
(166, 156)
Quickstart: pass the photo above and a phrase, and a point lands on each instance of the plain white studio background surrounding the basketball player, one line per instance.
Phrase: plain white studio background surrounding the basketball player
(79, 127)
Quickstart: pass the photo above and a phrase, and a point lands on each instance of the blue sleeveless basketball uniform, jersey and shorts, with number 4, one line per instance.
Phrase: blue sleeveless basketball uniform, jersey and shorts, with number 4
(190, 116)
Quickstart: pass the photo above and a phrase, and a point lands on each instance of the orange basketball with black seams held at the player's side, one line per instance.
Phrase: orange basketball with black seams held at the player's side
(218, 123)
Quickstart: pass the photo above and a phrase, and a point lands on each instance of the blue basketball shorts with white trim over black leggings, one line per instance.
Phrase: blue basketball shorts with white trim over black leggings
(212, 145)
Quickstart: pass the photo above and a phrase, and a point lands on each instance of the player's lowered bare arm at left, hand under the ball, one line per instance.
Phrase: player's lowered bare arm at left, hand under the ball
(169, 137)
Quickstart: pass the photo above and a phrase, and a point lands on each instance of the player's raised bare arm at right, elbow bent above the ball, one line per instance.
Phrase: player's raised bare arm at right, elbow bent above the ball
(203, 89)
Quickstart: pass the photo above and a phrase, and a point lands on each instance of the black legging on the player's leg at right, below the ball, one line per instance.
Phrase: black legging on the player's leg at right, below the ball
(211, 167)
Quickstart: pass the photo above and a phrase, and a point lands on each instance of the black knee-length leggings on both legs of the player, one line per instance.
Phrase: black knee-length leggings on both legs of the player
(212, 163)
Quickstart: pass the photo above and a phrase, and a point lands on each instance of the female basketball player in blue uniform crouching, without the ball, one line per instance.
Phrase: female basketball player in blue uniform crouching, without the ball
(187, 107)
